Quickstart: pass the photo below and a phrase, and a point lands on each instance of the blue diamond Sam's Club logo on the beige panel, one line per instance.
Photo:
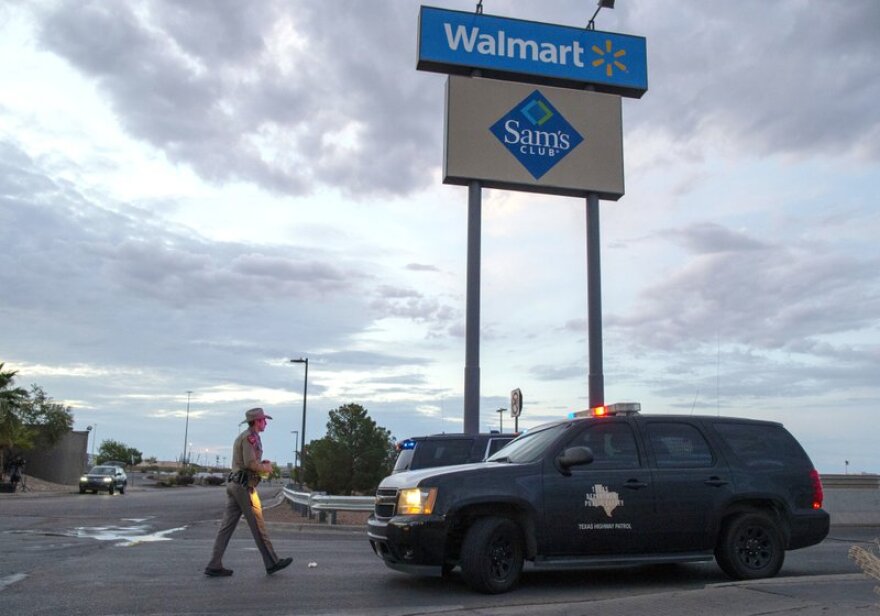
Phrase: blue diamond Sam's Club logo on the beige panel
(536, 134)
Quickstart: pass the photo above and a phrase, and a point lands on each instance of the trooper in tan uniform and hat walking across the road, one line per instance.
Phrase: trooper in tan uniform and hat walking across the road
(242, 498)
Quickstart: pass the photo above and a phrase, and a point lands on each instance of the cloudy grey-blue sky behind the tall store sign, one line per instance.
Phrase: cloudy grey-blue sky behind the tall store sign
(193, 193)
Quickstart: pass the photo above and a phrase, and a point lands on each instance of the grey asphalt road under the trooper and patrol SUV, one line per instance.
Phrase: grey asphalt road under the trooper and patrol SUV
(144, 552)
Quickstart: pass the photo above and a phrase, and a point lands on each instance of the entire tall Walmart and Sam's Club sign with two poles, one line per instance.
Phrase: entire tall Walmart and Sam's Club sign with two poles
(534, 107)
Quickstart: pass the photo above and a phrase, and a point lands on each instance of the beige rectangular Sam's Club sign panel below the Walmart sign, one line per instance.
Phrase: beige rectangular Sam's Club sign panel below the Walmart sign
(518, 136)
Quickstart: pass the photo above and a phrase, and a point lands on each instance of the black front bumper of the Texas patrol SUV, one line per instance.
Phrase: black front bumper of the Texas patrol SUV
(413, 544)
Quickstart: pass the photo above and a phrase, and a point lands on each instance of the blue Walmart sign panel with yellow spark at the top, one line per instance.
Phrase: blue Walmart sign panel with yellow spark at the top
(461, 42)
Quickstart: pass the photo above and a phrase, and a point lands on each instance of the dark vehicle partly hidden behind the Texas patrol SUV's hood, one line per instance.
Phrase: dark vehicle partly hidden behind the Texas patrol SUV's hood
(447, 449)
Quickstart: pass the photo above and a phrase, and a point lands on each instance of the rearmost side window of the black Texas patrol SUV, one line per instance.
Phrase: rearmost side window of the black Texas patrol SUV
(759, 446)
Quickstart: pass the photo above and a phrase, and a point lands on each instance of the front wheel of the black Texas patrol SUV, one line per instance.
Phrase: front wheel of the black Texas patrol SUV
(492, 555)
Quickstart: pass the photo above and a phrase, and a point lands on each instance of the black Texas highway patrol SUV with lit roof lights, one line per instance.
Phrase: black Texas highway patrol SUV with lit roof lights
(613, 487)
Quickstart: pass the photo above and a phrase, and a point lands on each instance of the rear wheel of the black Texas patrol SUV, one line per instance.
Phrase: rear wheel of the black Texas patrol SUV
(750, 547)
